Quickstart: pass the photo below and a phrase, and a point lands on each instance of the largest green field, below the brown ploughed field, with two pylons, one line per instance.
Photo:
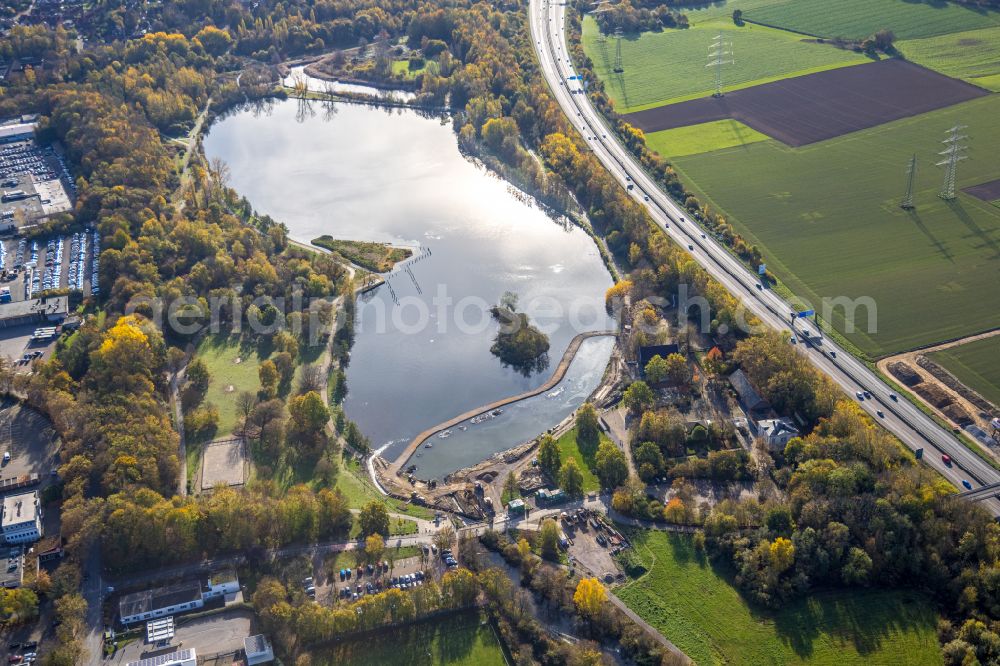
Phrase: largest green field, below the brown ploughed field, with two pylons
(827, 220)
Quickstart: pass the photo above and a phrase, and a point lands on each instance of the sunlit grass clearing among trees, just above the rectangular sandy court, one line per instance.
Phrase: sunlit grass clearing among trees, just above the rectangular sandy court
(232, 367)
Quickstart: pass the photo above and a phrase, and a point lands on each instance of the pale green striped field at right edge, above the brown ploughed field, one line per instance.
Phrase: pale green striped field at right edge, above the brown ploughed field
(973, 56)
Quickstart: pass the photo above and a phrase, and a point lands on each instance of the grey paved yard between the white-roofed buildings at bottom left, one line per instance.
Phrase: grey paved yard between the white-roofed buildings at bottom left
(215, 634)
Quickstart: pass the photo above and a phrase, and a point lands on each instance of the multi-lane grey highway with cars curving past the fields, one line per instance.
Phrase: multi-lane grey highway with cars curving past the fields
(913, 427)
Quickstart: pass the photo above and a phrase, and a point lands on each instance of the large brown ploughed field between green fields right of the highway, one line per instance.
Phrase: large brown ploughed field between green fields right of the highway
(806, 109)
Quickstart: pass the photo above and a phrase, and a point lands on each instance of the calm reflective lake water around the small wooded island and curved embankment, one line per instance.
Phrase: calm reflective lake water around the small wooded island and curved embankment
(422, 350)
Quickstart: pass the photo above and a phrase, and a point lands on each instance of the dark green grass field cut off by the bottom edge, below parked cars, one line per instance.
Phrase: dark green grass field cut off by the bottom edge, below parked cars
(458, 640)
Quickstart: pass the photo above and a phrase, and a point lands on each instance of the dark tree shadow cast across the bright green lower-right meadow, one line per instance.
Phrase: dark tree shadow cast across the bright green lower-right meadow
(863, 619)
